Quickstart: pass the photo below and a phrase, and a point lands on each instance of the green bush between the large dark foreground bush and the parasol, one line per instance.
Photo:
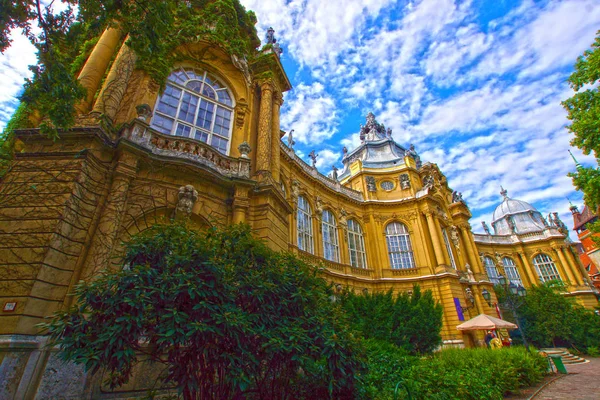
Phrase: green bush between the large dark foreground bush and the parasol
(410, 322)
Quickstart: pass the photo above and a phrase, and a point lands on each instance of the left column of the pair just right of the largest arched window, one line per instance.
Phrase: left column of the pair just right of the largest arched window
(265, 130)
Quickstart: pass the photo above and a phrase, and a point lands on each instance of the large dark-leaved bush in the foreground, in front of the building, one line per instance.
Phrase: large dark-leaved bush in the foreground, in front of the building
(227, 316)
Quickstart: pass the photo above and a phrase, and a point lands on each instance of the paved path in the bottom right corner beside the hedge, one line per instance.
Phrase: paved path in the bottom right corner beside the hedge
(582, 383)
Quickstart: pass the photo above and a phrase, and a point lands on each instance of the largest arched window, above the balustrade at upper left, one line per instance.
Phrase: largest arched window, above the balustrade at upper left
(196, 105)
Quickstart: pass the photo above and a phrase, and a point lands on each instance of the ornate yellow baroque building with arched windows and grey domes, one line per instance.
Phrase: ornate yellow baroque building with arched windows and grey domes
(207, 146)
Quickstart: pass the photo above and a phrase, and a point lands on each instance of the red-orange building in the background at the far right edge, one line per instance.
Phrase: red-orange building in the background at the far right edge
(589, 251)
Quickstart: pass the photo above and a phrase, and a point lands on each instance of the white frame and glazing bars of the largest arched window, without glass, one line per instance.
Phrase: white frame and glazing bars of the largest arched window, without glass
(193, 130)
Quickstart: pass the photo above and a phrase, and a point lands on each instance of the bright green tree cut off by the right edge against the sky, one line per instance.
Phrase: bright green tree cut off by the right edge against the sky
(583, 110)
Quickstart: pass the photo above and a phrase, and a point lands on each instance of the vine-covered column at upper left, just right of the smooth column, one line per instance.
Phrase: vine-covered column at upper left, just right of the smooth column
(116, 82)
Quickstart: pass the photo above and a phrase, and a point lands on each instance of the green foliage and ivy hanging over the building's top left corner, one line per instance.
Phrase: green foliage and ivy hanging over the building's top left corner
(155, 29)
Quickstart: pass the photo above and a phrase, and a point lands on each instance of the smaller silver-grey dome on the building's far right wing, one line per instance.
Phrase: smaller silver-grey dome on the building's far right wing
(516, 216)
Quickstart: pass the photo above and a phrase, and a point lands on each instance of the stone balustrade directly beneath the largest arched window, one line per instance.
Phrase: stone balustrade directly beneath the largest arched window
(180, 147)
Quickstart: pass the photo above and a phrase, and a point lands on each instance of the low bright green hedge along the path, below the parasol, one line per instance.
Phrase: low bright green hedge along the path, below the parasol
(450, 374)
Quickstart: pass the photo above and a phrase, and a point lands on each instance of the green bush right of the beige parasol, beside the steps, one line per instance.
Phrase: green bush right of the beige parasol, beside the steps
(552, 319)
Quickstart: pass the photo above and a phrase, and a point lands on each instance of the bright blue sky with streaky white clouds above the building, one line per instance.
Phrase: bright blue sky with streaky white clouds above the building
(475, 85)
